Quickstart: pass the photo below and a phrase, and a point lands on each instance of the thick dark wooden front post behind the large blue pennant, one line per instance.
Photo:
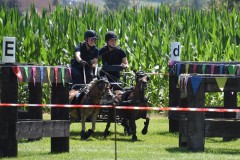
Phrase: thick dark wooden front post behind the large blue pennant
(195, 120)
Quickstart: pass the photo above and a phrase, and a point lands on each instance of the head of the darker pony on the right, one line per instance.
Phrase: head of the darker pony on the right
(141, 79)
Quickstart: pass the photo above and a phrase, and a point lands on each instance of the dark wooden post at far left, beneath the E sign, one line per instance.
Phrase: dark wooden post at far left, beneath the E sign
(8, 115)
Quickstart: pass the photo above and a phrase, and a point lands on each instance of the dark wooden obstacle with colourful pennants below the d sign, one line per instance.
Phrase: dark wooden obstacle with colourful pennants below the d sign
(188, 83)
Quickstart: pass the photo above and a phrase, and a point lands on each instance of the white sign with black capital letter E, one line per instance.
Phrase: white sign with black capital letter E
(9, 50)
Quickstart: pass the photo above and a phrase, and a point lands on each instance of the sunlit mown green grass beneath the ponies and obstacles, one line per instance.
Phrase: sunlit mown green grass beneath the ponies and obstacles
(158, 144)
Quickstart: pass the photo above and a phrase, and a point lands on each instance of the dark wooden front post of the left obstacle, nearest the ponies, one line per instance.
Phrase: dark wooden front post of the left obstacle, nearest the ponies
(59, 96)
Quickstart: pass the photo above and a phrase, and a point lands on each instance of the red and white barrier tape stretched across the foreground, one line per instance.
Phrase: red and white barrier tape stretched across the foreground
(123, 107)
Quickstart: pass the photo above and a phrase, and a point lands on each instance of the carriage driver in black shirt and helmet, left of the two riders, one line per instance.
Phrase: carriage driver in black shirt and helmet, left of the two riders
(85, 60)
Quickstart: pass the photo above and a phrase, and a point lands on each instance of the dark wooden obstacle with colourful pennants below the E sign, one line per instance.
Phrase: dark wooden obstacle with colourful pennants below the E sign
(16, 125)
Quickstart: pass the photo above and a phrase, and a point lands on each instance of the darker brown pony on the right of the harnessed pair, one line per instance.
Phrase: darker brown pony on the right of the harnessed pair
(134, 97)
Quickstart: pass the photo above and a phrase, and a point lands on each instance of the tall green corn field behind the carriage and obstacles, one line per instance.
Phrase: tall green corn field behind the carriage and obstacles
(145, 34)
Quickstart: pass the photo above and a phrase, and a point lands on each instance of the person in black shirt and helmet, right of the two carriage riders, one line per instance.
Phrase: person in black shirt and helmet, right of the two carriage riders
(113, 55)
